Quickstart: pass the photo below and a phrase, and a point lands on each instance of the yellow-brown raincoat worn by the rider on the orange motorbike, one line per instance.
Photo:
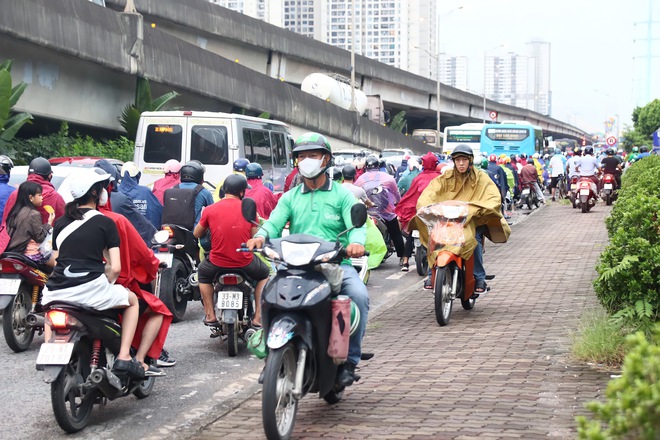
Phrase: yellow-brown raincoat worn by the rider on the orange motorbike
(478, 190)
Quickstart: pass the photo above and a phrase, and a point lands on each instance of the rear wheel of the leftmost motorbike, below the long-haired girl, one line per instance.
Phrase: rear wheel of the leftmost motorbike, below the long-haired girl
(18, 333)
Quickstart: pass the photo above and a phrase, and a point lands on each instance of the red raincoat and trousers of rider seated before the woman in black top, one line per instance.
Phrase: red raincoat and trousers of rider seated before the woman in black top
(139, 265)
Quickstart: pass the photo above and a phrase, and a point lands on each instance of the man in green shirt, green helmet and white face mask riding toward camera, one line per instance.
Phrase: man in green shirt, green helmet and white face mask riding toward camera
(322, 208)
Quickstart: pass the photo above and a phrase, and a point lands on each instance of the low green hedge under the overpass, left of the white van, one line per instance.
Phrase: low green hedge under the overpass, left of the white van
(63, 144)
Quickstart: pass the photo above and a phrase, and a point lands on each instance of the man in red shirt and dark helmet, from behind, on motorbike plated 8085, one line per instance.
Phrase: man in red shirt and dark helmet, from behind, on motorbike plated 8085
(228, 231)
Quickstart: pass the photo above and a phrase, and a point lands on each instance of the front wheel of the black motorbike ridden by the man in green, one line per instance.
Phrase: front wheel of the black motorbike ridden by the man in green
(278, 405)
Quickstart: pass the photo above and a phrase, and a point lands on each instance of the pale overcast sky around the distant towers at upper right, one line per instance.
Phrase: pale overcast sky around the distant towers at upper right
(596, 69)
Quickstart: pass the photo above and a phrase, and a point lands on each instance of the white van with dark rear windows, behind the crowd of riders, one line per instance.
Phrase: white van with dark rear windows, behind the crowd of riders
(215, 139)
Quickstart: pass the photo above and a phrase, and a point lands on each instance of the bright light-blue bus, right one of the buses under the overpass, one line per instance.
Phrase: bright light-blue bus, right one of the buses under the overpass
(516, 138)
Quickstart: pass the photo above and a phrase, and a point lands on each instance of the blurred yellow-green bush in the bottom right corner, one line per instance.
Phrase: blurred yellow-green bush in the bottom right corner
(632, 407)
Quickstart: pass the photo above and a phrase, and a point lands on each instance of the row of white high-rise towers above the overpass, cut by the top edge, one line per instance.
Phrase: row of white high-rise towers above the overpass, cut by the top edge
(400, 33)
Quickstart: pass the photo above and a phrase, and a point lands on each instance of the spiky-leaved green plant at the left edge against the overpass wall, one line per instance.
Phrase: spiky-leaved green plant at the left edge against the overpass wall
(10, 122)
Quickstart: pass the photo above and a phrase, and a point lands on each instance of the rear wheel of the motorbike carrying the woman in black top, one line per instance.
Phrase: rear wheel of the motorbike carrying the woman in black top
(71, 408)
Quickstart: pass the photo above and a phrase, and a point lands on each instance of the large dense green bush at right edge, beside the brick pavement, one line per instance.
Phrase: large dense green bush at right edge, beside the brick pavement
(628, 283)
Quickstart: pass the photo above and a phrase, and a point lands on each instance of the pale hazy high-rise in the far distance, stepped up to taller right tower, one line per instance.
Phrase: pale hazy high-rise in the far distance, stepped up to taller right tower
(520, 80)
